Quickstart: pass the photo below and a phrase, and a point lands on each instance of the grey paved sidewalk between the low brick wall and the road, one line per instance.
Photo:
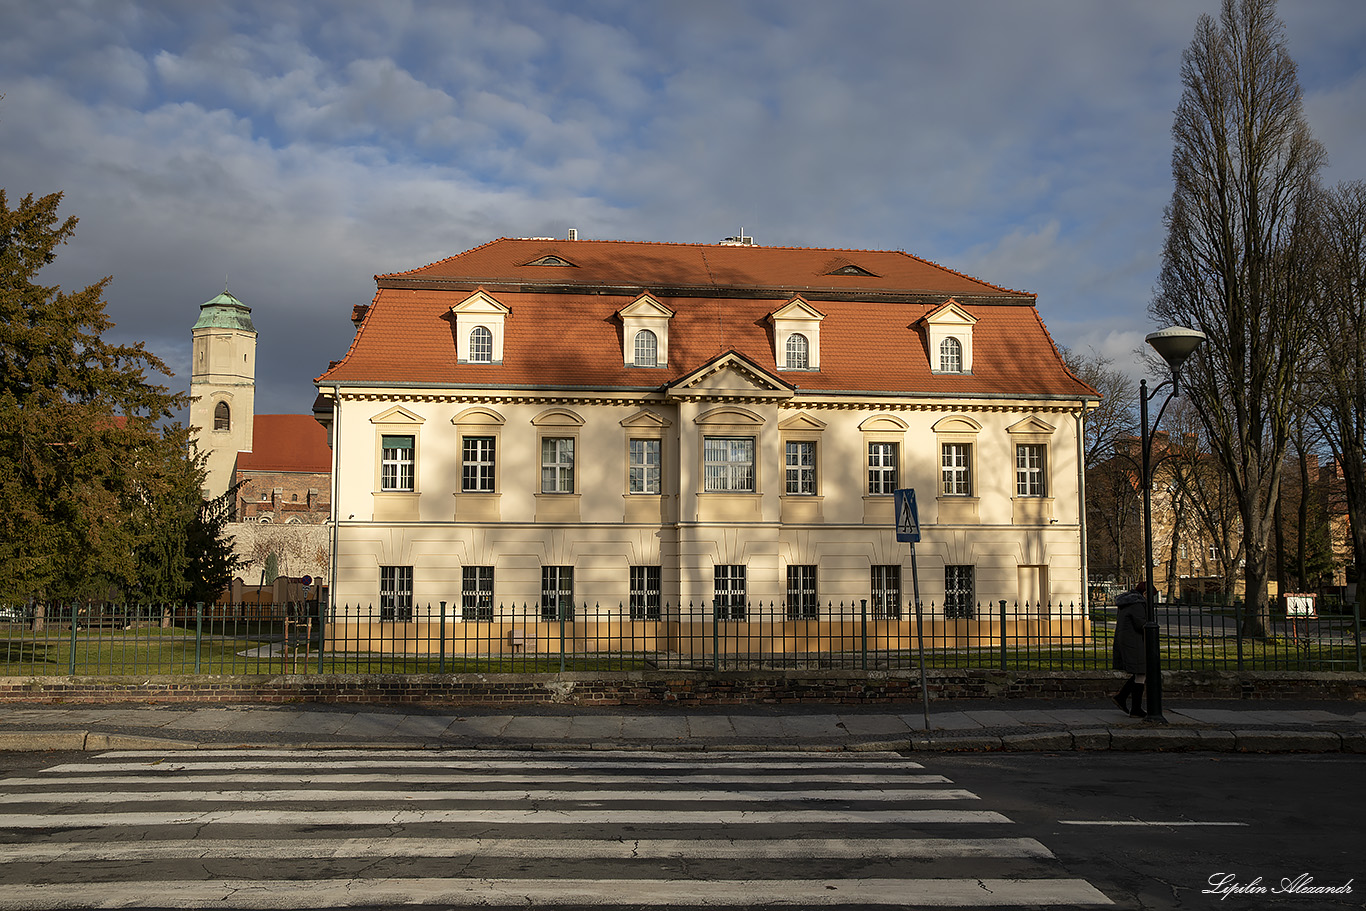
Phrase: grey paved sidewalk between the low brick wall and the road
(971, 726)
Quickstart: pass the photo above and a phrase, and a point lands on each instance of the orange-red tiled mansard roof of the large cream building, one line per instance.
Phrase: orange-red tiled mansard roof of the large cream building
(563, 328)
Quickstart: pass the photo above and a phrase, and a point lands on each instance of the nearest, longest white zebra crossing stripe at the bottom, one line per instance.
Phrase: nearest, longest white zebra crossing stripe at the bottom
(712, 894)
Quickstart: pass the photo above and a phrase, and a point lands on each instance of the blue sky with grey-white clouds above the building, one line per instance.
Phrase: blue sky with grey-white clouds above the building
(293, 151)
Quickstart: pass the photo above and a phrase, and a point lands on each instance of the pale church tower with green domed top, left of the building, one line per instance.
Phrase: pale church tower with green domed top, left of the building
(223, 384)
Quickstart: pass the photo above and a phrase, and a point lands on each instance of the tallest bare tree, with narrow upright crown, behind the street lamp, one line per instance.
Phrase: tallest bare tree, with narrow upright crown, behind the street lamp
(1245, 167)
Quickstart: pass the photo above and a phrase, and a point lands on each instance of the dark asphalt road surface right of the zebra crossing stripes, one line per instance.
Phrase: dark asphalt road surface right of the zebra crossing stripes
(1167, 831)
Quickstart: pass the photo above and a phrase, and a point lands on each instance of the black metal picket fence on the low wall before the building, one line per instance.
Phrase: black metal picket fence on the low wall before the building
(55, 640)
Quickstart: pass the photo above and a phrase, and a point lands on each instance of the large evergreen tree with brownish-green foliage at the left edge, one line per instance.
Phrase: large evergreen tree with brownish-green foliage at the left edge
(96, 490)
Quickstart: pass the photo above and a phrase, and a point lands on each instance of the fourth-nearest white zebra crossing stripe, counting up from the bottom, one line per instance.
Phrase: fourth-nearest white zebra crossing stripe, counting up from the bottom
(279, 796)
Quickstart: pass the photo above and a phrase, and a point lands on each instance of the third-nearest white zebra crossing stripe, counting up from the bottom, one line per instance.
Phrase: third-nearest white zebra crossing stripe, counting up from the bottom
(495, 817)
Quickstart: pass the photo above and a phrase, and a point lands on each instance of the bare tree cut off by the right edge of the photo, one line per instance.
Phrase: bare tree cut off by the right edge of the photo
(1341, 316)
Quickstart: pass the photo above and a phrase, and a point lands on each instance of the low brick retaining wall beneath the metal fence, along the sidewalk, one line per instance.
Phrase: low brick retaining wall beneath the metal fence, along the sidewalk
(644, 689)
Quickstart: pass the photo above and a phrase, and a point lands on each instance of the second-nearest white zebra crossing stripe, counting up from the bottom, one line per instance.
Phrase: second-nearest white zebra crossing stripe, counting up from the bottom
(566, 850)
